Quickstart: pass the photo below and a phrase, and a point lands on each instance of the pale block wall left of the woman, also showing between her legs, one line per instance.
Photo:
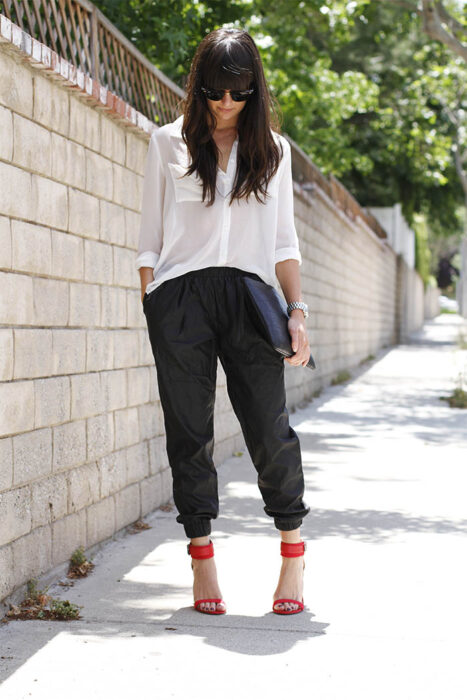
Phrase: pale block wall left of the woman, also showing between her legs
(82, 442)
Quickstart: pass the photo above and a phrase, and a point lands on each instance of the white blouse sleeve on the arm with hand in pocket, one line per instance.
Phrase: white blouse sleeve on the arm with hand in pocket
(152, 207)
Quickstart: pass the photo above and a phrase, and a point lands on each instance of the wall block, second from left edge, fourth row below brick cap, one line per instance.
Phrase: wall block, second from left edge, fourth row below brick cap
(31, 248)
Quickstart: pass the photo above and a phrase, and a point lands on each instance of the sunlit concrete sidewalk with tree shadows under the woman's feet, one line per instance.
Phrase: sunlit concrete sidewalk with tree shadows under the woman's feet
(385, 578)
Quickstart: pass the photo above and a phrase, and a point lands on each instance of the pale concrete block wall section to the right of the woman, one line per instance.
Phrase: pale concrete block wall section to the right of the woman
(349, 278)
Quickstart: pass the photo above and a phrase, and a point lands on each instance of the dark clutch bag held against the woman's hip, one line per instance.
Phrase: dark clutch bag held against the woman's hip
(271, 310)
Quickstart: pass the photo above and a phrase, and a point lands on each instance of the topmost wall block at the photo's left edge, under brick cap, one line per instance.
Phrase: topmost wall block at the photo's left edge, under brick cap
(15, 85)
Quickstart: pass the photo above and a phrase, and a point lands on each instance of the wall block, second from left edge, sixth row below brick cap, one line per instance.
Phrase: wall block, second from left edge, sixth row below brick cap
(33, 353)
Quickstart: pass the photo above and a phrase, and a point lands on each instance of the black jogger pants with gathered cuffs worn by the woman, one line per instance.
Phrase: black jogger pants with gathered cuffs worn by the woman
(192, 320)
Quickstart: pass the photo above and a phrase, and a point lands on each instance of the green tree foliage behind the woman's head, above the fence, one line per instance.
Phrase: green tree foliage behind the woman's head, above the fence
(355, 82)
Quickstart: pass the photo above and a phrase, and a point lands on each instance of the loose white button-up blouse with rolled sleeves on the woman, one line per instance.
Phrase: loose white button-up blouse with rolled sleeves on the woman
(179, 233)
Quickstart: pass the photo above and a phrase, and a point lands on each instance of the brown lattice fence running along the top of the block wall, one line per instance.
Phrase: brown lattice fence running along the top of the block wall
(80, 33)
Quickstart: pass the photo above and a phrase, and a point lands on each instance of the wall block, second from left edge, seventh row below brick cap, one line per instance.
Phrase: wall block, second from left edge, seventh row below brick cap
(52, 401)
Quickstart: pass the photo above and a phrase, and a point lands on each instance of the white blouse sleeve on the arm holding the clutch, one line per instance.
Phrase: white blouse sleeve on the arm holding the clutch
(287, 245)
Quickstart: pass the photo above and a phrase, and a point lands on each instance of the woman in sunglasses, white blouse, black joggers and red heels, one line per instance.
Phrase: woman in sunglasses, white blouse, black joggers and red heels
(218, 205)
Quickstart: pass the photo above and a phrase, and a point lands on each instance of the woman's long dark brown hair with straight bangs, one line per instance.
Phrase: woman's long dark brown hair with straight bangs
(229, 58)
